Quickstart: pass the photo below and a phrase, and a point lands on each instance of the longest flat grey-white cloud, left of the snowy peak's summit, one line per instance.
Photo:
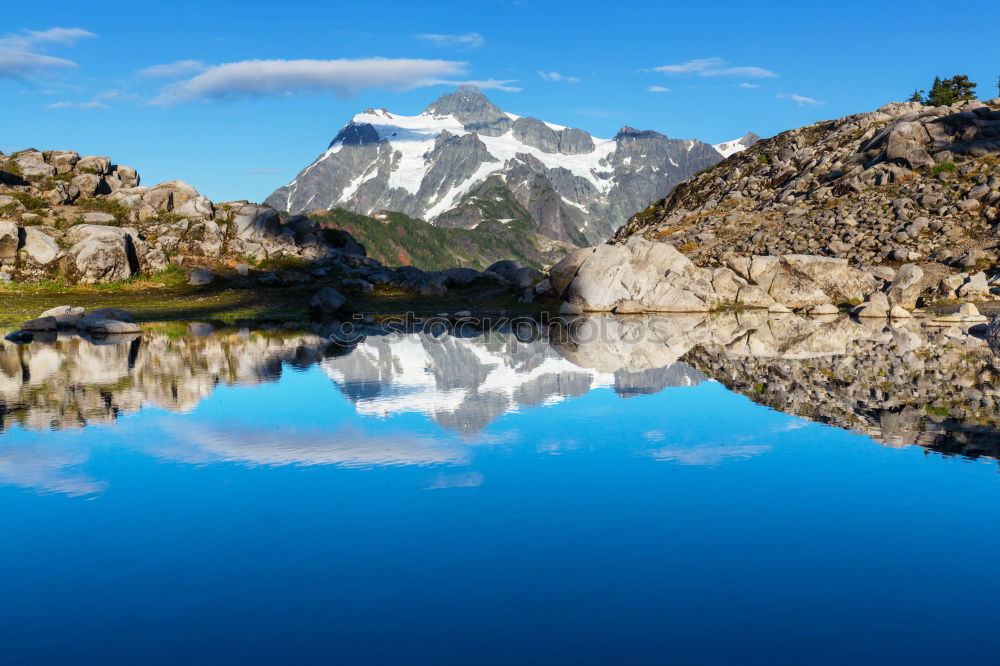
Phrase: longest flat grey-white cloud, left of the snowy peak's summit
(280, 78)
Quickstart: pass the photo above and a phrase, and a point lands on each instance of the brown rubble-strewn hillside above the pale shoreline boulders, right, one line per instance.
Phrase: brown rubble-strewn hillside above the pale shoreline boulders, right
(904, 183)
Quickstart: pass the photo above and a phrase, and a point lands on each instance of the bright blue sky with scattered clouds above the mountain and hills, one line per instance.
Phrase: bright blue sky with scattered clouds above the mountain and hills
(236, 127)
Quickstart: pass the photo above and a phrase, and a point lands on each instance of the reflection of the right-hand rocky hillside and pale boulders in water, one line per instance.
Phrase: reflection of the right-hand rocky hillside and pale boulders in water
(901, 383)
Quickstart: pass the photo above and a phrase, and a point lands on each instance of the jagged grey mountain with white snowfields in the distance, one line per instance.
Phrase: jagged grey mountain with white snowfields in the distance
(464, 160)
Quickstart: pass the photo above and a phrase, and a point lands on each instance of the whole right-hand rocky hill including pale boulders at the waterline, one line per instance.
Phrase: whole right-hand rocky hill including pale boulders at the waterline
(881, 211)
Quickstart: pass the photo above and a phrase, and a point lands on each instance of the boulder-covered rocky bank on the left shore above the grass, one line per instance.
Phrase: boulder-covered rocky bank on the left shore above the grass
(91, 221)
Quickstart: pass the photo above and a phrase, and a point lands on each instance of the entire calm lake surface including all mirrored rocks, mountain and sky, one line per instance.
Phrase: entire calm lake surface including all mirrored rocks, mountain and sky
(686, 491)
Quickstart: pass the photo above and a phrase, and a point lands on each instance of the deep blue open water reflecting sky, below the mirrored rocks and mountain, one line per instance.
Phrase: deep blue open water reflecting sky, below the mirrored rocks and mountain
(278, 523)
